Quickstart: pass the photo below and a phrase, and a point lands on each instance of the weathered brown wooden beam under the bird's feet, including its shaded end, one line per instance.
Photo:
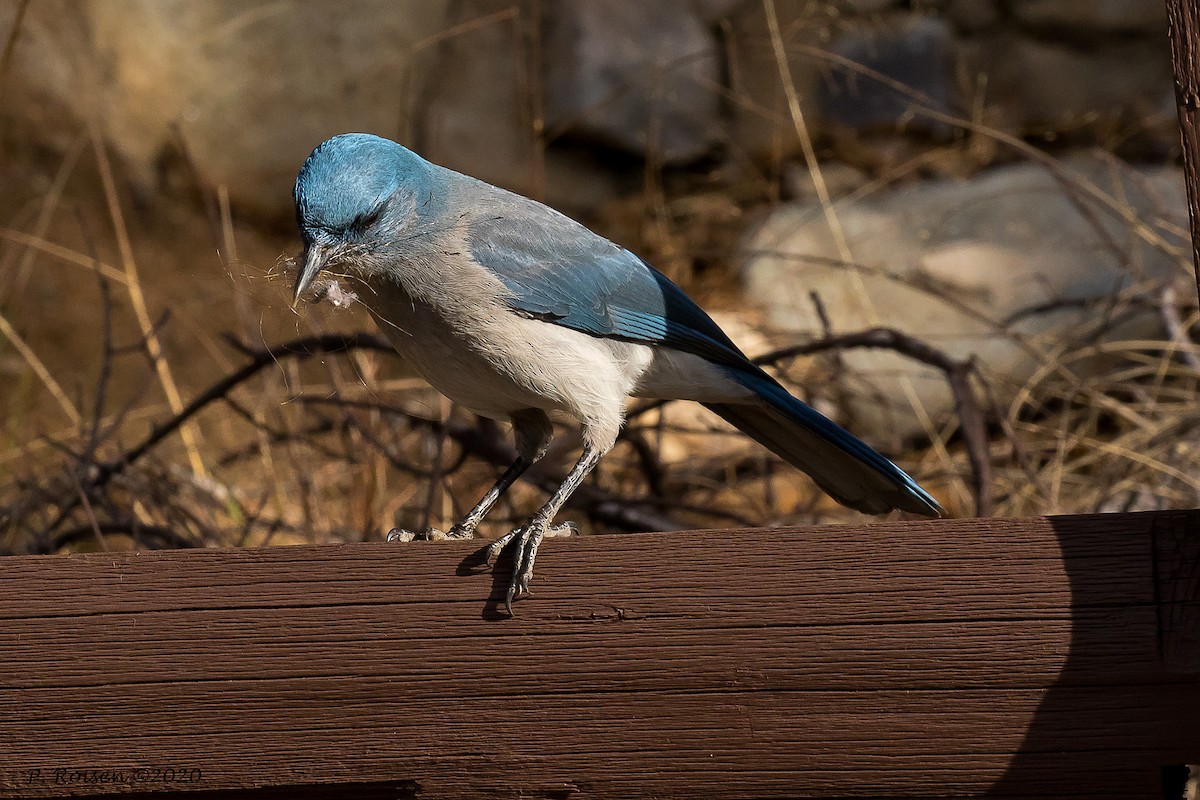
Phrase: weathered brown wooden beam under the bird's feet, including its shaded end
(1004, 658)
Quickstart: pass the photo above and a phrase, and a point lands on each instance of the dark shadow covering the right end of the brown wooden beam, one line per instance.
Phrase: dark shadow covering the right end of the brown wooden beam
(1125, 684)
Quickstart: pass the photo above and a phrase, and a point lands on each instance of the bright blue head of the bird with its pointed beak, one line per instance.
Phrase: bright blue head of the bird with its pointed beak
(353, 196)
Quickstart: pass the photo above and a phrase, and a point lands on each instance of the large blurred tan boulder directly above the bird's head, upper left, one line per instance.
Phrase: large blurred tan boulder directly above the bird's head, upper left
(254, 87)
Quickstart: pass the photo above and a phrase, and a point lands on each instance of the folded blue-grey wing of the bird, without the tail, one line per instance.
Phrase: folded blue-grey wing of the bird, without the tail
(560, 272)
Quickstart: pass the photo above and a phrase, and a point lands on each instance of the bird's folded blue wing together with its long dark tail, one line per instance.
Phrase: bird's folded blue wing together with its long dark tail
(560, 272)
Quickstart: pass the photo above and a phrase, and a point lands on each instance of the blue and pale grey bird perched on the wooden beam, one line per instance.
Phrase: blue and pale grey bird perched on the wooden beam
(517, 312)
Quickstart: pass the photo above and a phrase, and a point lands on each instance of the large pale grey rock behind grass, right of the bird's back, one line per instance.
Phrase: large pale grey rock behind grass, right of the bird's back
(997, 268)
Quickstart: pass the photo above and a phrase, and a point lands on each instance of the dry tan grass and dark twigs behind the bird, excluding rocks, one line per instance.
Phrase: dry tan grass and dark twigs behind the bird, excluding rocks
(340, 442)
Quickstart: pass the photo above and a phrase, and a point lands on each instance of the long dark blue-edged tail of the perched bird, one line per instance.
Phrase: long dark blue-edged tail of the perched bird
(844, 466)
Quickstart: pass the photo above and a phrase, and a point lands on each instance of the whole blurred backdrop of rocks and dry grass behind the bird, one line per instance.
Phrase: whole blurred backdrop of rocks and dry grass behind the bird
(958, 227)
